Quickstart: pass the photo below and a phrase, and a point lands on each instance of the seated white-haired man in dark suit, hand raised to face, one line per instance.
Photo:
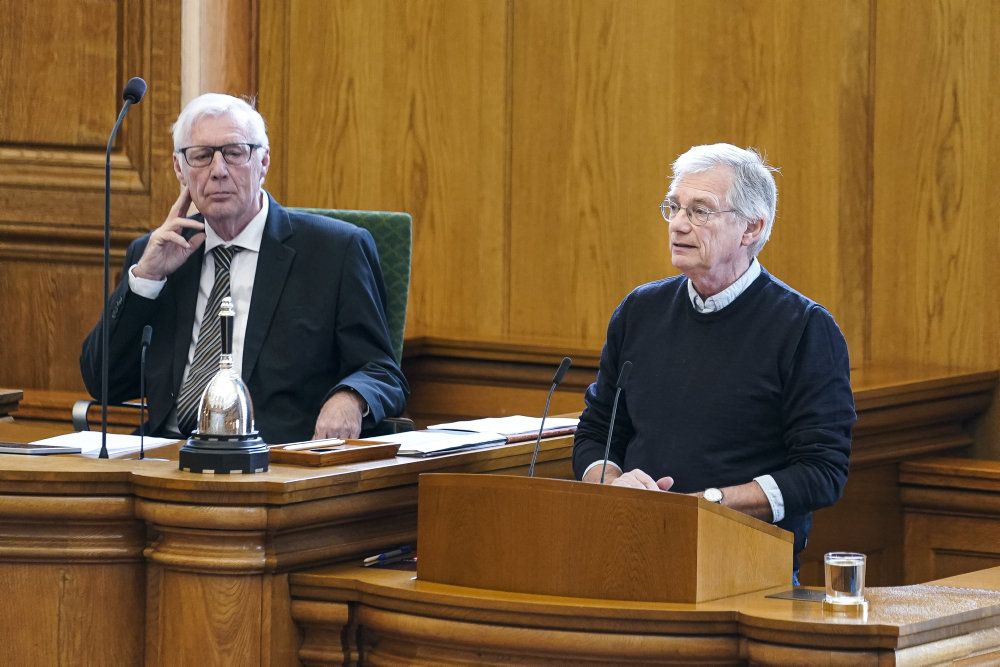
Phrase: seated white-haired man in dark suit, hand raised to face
(310, 336)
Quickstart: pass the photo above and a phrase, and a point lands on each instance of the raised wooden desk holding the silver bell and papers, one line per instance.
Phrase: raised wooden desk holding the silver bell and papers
(129, 562)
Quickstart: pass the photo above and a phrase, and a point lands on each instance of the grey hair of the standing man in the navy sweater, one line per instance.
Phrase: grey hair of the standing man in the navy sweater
(752, 192)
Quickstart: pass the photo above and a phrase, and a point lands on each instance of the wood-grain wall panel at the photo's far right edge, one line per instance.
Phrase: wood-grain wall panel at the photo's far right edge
(937, 145)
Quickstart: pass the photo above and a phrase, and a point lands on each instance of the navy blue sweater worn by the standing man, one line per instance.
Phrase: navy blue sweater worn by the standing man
(716, 399)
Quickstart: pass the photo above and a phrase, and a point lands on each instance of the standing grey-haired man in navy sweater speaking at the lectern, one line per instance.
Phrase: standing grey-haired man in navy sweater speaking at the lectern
(740, 386)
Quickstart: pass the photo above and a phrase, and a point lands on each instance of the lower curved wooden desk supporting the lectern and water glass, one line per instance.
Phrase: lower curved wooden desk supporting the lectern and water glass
(388, 617)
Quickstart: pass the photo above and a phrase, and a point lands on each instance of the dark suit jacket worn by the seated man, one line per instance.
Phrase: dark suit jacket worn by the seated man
(316, 324)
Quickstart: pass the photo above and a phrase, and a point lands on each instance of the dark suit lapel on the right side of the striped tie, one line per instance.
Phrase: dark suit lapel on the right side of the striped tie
(273, 264)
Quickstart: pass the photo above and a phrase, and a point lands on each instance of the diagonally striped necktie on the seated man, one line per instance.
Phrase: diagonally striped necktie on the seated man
(209, 345)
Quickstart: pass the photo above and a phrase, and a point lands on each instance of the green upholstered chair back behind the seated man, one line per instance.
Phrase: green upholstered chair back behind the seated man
(392, 232)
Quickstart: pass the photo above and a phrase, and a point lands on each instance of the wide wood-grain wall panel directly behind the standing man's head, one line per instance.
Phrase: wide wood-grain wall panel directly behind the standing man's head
(606, 94)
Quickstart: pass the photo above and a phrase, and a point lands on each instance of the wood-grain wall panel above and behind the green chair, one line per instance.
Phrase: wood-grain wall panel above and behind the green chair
(391, 105)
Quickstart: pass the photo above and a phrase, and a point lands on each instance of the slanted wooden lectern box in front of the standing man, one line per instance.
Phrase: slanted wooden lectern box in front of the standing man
(558, 537)
